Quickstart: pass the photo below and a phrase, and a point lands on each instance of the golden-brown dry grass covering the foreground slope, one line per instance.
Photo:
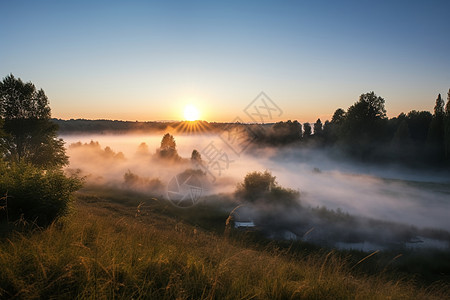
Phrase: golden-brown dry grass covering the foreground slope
(108, 249)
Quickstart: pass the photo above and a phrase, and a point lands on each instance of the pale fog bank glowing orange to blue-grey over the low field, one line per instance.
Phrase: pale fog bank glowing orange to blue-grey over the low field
(386, 193)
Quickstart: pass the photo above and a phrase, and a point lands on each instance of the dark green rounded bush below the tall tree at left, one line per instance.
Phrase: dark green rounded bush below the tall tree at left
(34, 194)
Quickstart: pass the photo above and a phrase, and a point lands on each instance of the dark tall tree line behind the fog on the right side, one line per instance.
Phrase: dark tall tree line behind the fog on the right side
(365, 133)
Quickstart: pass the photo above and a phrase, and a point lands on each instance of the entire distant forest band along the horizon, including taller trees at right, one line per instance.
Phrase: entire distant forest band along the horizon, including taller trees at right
(362, 132)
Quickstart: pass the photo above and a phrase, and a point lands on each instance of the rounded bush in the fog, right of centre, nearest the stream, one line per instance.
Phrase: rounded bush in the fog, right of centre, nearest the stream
(262, 187)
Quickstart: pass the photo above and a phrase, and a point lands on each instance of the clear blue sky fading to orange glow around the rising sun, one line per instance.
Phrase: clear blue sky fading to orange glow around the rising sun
(145, 60)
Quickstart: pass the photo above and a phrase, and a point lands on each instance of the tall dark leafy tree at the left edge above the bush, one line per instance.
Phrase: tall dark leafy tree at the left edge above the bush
(30, 135)
